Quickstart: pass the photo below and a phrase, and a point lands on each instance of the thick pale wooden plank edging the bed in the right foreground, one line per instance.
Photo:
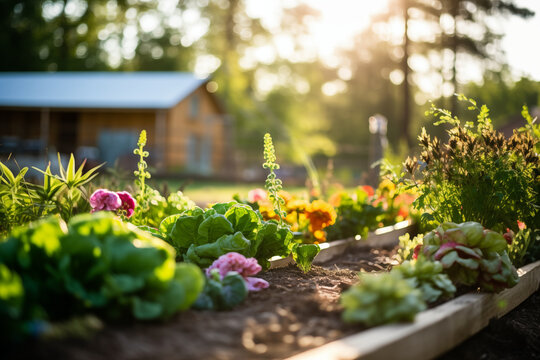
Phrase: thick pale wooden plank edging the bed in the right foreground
(433, 331)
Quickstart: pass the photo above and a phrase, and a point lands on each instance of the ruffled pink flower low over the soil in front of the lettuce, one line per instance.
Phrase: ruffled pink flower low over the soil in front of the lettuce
(234, 261)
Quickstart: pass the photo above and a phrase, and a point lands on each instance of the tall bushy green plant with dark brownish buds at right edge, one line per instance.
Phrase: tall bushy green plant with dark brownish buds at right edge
(478, 175)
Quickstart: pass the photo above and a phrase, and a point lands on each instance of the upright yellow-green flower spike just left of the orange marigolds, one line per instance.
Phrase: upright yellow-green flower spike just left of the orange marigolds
(273, 185)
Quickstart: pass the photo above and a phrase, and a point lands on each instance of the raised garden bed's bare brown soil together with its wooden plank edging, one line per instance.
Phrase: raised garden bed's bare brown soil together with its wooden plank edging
(300, 311)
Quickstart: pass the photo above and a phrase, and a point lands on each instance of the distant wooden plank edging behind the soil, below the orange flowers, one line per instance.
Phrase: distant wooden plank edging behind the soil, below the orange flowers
(383, 237)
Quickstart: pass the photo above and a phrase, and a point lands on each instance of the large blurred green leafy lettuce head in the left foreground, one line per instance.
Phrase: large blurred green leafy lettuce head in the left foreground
(95, 263)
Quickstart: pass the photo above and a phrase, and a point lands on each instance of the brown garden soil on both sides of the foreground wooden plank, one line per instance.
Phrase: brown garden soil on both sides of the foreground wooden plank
(298, 312)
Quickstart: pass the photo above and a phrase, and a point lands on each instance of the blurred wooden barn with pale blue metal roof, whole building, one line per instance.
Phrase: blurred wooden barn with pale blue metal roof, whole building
(98, 115)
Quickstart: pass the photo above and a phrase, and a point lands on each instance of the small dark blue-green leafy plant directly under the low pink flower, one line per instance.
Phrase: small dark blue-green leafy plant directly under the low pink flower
(222, 294)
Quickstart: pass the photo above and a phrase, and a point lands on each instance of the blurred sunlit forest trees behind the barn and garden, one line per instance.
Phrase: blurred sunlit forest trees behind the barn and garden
(272, 76)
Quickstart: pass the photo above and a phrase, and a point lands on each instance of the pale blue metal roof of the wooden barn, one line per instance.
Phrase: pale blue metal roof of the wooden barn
(103, 90)
